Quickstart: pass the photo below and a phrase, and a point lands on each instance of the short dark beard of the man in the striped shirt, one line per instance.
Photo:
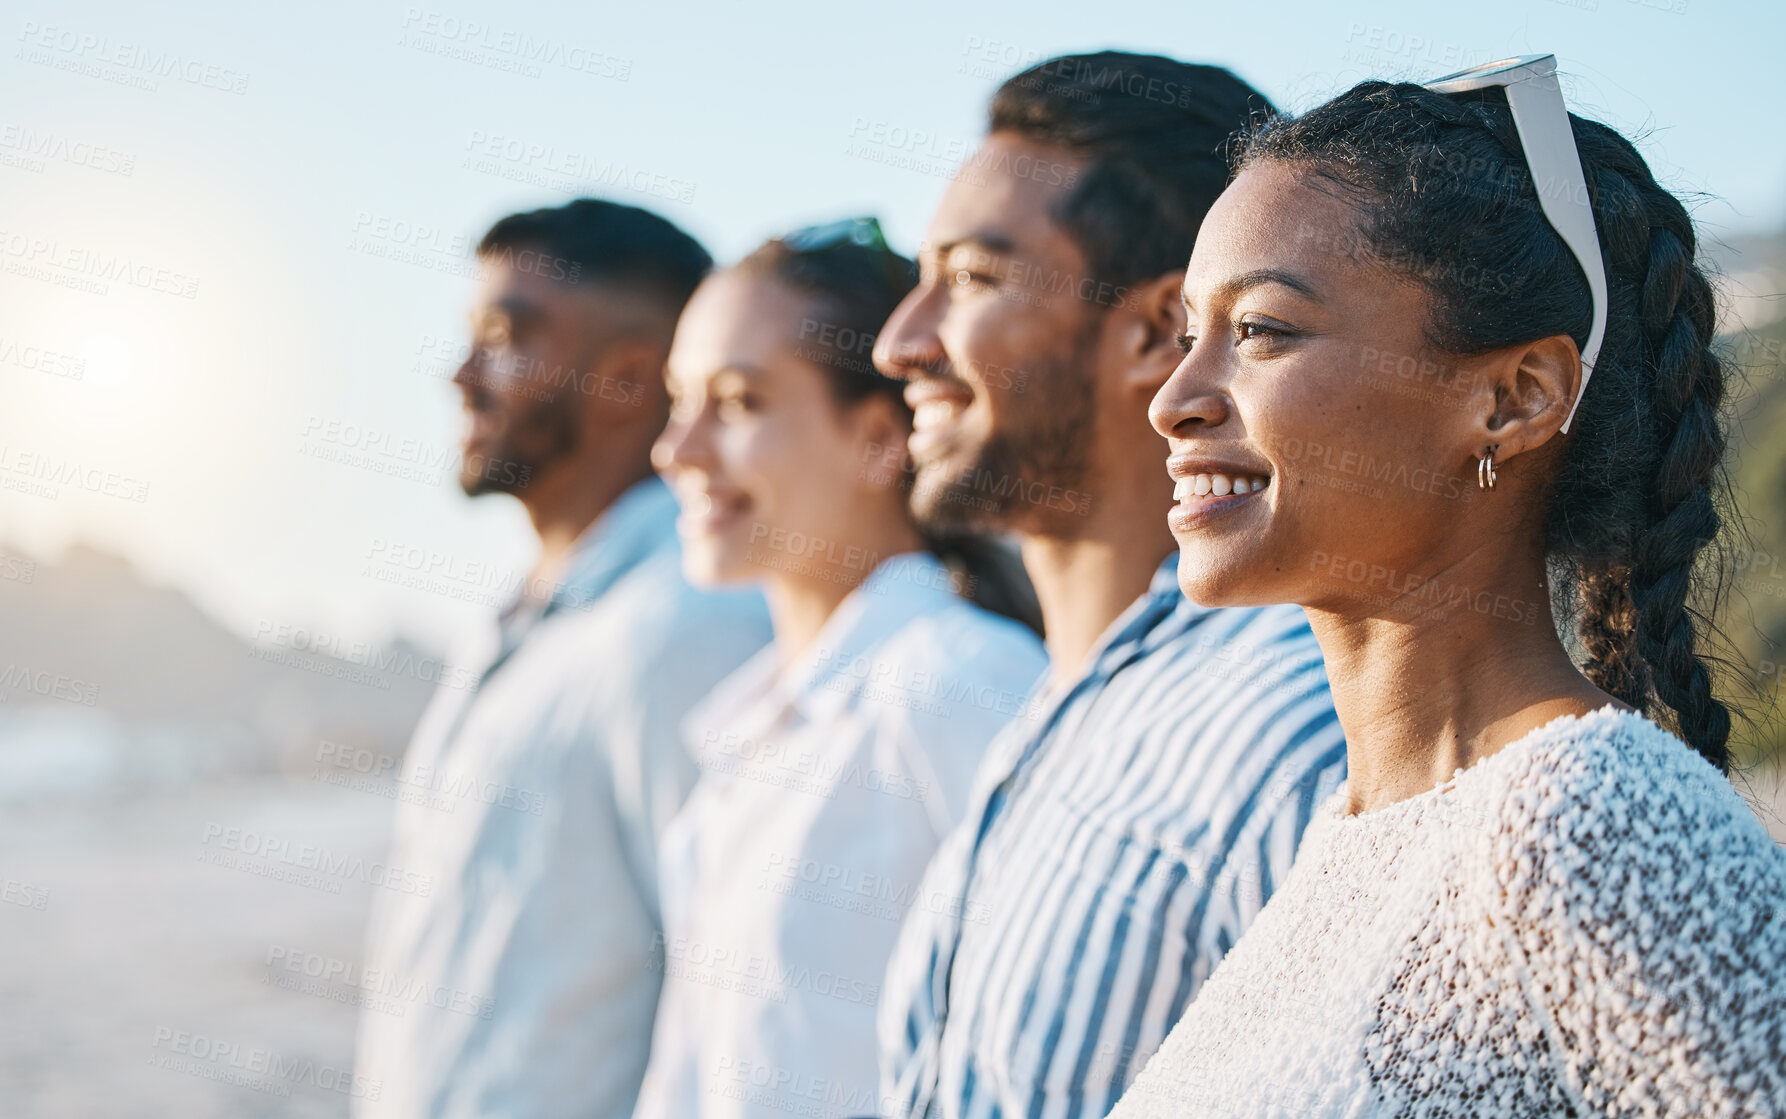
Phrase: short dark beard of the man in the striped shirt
(1031, 474)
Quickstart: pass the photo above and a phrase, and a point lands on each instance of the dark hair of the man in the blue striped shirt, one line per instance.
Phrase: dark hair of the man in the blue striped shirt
(1155, 135)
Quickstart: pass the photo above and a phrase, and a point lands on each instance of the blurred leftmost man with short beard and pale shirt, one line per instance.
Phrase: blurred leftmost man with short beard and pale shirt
(522, 972)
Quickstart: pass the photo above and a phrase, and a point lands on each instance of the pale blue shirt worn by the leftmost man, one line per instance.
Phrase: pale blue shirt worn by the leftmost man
(517, 981)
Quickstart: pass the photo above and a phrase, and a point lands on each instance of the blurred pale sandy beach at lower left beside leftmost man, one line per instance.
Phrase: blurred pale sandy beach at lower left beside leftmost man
(151, 979)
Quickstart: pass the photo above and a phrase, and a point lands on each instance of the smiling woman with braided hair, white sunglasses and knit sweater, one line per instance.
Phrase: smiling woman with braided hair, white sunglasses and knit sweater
(1537, 893)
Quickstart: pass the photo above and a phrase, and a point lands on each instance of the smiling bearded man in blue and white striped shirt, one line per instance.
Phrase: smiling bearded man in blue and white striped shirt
(1126, 834)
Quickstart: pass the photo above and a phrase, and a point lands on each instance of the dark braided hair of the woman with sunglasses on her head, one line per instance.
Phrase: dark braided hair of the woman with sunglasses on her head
(1637, 506)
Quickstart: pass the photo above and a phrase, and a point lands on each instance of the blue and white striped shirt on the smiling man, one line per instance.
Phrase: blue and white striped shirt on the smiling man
(1117, 845)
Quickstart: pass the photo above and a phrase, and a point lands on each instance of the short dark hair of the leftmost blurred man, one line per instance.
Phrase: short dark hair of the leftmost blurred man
(592, 240)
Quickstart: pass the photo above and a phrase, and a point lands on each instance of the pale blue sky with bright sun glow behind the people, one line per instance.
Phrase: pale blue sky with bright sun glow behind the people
(260, 169)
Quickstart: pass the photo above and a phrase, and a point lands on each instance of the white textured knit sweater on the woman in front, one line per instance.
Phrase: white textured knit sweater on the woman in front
(1587, 924)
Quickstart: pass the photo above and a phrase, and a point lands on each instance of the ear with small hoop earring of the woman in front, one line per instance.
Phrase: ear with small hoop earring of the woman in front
(1524, 395)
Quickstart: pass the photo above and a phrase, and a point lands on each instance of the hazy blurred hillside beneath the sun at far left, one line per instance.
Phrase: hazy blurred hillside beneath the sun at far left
(112, 684)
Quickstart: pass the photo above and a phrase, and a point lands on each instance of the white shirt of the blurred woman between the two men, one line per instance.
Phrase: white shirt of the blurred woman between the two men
(824, 792)
